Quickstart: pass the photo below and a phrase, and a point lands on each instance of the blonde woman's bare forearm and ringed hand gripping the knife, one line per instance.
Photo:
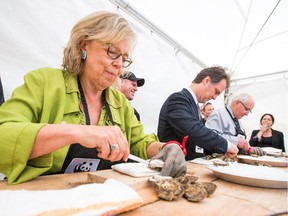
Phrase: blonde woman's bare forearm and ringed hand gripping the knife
(52, 137)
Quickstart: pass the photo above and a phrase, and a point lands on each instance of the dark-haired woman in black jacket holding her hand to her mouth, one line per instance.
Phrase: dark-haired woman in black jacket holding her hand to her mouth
(266, 136)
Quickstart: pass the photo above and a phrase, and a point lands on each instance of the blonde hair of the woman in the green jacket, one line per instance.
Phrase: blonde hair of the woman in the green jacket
(106, 27)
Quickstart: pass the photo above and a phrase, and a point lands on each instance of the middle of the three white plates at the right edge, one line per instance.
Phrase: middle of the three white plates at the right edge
(269, 160)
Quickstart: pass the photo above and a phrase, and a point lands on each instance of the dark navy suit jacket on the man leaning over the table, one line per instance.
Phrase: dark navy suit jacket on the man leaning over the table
(179, 117)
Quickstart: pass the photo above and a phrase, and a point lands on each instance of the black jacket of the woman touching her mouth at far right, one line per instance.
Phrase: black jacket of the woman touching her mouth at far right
(277, 140)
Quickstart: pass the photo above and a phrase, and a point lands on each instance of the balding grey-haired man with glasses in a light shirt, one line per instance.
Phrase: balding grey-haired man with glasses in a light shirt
(225, 121)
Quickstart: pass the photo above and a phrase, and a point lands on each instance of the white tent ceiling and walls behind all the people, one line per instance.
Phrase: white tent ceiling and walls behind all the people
(33, 34)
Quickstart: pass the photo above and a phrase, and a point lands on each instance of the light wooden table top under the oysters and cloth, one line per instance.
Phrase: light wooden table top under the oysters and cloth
(228, 199)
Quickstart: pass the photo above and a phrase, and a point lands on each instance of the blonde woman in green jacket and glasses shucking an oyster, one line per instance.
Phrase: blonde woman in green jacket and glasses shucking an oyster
(70, 120)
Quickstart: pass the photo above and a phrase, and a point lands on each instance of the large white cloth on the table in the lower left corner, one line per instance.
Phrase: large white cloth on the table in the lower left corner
(25, 202)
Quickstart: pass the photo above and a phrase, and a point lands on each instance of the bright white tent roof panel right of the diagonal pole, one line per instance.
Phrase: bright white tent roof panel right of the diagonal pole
(246, 36)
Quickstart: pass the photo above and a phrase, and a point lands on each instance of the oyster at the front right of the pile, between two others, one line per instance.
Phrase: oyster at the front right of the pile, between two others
(195, 192)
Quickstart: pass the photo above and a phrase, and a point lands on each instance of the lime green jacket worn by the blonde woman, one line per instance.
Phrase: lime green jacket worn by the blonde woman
(51, 96)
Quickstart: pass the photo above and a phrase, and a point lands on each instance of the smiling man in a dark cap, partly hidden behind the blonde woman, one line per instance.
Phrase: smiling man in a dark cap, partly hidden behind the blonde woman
(129, 85)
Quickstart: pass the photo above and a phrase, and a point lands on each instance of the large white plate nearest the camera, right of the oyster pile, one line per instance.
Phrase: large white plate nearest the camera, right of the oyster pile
(257, 176)
